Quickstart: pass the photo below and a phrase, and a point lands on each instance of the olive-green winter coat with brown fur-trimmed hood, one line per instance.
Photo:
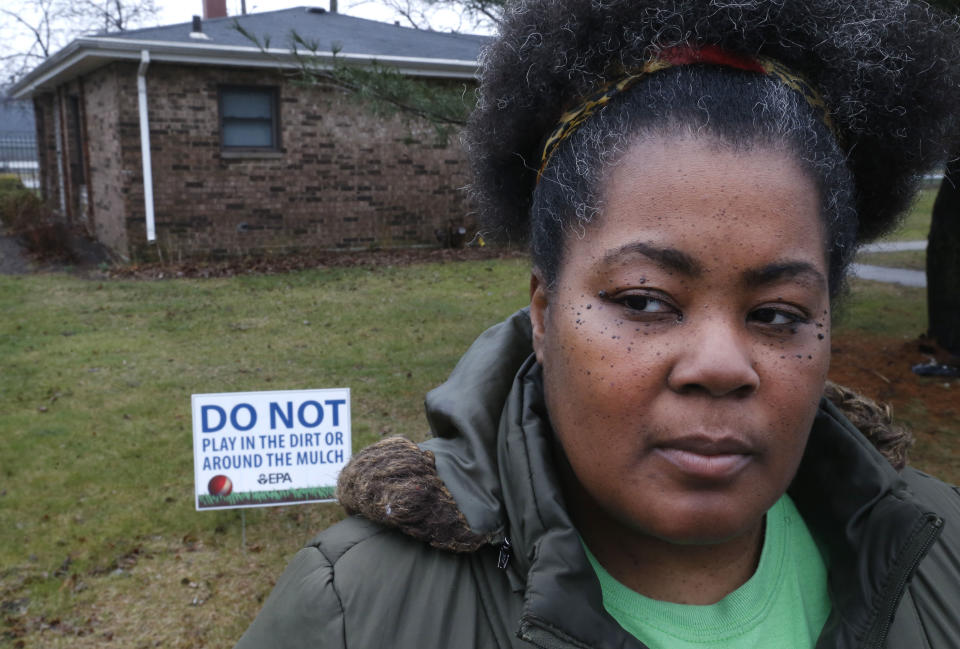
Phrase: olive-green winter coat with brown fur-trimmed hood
(472, 545)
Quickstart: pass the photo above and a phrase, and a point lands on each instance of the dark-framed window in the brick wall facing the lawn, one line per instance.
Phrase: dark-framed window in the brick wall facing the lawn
(249, 119)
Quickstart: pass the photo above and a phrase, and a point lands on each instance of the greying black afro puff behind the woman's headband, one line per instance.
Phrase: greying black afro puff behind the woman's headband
(886, 69)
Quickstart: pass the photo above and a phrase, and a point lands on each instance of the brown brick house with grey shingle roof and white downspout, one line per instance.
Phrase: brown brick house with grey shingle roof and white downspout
(189, 140)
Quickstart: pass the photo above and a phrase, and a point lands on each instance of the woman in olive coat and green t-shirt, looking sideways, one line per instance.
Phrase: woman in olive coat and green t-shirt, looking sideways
(645, 457)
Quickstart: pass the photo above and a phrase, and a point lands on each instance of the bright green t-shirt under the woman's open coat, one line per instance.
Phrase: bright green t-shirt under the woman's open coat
(784, 605)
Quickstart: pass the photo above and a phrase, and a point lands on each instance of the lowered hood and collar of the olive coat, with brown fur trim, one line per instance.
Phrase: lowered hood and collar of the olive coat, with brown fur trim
(489, 474)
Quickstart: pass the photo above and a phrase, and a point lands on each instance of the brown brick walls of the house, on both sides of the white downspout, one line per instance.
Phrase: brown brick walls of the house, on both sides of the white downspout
(345, 178)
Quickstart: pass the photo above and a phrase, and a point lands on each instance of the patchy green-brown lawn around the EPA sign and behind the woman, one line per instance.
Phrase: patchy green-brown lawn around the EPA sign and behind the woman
(100, 541)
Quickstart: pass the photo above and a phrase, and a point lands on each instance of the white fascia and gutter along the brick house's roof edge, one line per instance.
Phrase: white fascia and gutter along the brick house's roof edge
(87, 51)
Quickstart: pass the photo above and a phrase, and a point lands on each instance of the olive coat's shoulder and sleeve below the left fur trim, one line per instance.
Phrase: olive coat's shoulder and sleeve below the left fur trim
(359, 585)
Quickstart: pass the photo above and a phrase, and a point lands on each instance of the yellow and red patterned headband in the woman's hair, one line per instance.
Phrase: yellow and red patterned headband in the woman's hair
(571, 120)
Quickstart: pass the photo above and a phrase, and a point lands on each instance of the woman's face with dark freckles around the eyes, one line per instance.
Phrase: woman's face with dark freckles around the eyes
(686, 341)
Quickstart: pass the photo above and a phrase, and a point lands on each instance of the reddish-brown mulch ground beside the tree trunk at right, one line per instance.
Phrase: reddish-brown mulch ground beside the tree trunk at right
(880, 368)
